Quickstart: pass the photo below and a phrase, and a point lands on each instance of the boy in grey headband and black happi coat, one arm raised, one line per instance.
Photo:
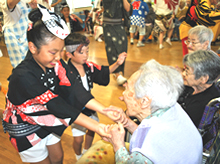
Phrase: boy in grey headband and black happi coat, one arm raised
(87, 73)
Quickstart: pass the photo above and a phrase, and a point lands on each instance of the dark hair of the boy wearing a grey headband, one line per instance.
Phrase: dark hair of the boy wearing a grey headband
(76, 38)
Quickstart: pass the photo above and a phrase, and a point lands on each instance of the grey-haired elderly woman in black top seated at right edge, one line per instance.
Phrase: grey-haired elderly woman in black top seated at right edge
(201, 70)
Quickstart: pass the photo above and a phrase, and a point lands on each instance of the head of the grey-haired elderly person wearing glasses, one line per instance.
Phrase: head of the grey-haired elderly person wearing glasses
(199, 38)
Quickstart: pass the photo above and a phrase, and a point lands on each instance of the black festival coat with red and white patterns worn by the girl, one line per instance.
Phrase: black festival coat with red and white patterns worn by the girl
(37, 103)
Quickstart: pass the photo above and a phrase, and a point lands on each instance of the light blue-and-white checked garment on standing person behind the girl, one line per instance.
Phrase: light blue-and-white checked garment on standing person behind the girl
(15, 37)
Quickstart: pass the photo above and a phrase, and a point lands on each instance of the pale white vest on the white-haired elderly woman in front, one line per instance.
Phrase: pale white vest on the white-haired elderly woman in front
(169, 138)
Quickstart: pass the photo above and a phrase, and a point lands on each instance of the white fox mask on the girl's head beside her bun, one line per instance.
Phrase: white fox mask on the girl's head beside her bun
(51, 21)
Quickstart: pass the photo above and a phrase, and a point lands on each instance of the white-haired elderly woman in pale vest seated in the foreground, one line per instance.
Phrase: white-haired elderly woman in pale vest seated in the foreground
(166, 134)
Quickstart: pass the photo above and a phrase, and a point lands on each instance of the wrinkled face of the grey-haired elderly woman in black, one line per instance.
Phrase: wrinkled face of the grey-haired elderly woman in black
(189, 77)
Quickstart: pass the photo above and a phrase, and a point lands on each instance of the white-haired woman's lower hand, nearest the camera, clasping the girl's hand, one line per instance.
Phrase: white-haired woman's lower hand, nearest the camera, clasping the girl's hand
(117, 133)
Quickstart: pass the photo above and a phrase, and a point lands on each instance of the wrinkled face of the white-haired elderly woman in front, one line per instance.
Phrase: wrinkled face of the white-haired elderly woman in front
(131, 102)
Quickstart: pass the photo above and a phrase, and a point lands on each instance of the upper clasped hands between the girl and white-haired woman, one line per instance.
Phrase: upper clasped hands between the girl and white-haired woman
(116, 114)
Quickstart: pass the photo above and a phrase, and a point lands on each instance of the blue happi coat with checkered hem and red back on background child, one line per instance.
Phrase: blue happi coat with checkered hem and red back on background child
(140, 10)
